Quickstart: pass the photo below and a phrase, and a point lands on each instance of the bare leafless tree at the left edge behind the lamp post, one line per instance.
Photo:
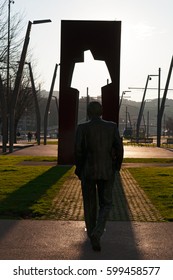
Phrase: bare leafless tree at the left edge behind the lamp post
(25, 96)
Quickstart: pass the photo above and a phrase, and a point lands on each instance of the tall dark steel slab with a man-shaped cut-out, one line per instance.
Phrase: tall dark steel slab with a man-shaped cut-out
(102, 38)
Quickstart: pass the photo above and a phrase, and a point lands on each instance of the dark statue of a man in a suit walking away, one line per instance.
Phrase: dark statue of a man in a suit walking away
(98, 154)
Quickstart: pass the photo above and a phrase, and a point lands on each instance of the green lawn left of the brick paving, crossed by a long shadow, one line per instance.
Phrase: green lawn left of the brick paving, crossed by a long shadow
(28, 191)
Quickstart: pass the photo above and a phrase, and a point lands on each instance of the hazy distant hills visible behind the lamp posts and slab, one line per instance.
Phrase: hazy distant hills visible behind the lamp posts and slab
(128, 112)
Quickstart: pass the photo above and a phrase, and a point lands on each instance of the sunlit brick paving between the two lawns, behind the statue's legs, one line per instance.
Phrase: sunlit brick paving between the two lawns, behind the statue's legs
(130, 203)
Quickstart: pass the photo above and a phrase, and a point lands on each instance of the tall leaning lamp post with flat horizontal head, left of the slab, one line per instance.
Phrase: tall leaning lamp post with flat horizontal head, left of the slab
(18, 79)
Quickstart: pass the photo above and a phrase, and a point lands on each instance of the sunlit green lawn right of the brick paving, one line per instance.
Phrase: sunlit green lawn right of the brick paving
(157, 182)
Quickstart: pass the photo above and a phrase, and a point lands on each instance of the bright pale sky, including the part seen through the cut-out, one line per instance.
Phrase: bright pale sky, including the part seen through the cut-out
(146, 42)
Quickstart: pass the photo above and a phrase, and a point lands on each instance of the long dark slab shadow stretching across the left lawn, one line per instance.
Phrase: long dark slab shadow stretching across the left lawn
(19, 203)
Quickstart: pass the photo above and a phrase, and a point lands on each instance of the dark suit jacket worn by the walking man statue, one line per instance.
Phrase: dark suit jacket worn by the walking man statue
(98, 149)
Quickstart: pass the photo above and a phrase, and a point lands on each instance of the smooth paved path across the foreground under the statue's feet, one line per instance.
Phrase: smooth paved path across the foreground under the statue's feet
(66, 240)
